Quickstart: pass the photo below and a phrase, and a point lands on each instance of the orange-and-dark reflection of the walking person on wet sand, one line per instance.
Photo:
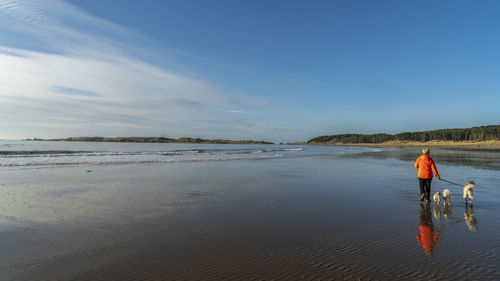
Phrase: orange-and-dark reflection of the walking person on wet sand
(427, 238)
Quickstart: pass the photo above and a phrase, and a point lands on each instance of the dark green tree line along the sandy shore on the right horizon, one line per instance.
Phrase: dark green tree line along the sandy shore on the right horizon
(482, 133)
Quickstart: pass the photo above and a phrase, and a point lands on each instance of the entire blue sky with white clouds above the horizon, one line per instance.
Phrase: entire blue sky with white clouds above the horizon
(272, 70)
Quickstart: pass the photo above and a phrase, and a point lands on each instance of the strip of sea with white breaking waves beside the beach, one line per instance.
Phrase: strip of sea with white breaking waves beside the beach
(47, 153)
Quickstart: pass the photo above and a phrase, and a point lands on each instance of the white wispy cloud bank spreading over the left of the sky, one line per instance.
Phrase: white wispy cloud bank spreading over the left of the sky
(81, 77)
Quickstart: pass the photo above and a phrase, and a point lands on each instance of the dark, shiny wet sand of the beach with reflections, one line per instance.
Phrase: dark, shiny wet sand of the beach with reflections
(322, 217)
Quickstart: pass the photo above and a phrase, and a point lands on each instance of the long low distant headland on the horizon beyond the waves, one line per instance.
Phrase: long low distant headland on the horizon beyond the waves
(155, 140)
